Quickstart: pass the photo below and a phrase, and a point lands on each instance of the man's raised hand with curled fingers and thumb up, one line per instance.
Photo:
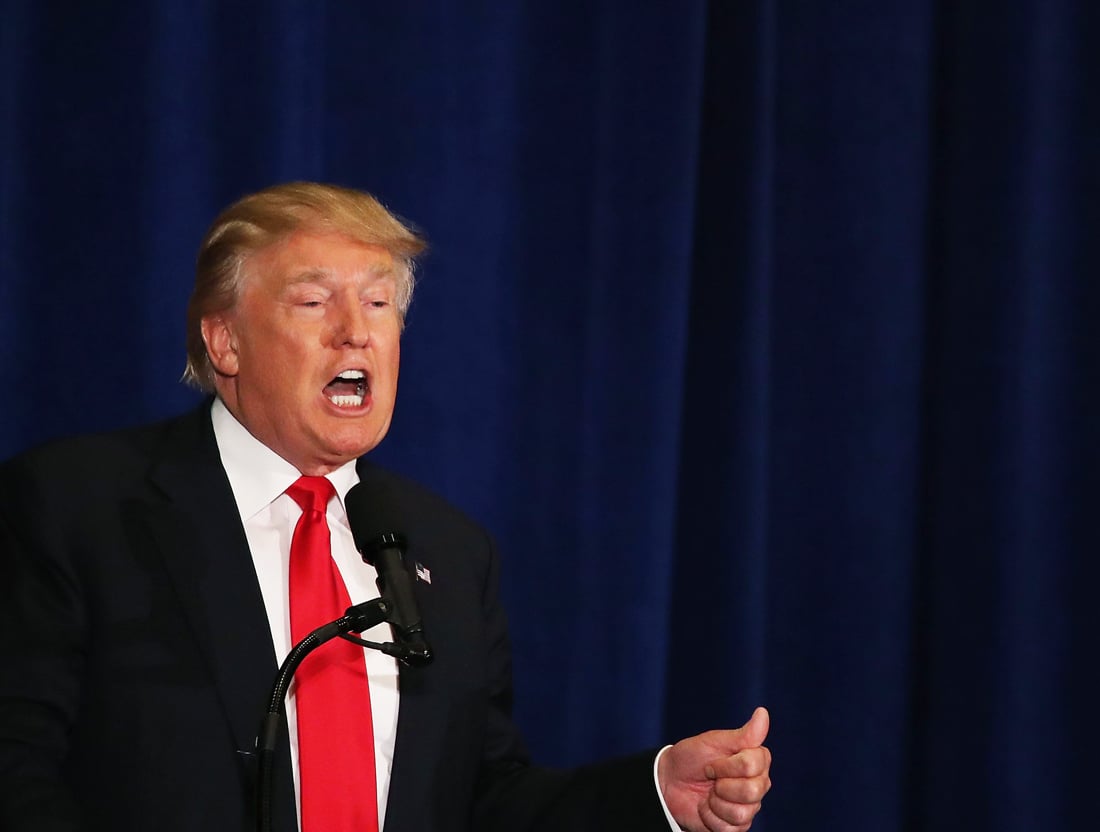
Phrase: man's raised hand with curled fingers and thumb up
(716, 782)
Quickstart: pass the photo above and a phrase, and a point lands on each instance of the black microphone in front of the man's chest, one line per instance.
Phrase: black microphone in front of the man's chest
(371, 510)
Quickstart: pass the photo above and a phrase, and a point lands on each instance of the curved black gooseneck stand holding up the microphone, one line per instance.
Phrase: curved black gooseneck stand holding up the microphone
(356, 620)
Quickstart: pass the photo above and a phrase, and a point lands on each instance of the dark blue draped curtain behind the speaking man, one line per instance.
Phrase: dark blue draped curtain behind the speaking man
(763, 335)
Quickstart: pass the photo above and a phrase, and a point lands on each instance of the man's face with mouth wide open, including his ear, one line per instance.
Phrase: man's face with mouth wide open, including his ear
(307, 359)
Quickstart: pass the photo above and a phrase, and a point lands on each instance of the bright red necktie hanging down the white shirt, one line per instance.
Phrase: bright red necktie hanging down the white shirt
(336, 738)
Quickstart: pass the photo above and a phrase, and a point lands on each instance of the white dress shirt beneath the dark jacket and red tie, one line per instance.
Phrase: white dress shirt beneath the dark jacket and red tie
(260, 478)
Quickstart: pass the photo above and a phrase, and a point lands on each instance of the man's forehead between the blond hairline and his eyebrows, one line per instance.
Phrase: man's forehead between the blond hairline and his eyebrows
(318, 257)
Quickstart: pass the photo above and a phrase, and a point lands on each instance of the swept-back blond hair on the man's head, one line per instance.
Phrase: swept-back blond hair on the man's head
(269, 216)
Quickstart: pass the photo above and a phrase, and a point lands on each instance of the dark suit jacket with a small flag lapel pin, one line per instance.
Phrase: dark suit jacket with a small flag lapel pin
(138, 662)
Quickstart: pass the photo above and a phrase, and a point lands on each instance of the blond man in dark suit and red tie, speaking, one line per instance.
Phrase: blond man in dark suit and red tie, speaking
(159, 576)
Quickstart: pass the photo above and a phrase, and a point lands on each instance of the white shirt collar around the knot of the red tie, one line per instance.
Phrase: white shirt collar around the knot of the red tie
(258, 475)
